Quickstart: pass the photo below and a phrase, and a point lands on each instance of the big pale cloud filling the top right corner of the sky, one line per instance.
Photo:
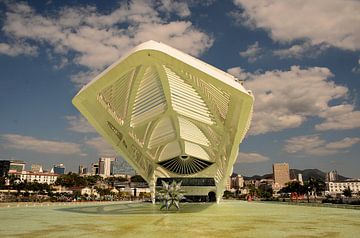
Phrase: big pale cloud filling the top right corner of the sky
(335, 22)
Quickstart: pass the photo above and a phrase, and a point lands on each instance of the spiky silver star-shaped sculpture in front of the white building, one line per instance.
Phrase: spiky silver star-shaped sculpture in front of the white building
(170, 195)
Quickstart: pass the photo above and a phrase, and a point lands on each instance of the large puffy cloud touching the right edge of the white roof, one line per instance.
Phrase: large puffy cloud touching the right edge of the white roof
(286, 99)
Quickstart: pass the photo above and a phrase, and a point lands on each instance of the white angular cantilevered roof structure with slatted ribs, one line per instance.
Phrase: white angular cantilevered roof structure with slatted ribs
(169, 114)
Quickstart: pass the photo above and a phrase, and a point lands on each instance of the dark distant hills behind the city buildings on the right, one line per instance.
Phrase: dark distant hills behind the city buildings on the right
(306, 174)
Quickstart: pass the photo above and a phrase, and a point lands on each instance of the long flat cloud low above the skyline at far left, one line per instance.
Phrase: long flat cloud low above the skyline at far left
(41, 146)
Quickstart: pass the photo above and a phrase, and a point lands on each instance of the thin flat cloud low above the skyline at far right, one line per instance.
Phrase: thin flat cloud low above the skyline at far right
(315, 146)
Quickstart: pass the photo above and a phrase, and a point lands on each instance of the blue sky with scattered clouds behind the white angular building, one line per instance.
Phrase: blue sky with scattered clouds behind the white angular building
(300, 58)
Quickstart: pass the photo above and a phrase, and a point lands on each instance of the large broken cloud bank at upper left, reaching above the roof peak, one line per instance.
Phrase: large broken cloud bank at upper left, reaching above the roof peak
(96, 39)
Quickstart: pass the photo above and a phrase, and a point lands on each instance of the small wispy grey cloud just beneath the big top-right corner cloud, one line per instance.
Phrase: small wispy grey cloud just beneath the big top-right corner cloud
(301, 50)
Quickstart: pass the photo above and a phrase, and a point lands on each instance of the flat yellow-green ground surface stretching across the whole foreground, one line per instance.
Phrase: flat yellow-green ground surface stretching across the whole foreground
(228, 219)
